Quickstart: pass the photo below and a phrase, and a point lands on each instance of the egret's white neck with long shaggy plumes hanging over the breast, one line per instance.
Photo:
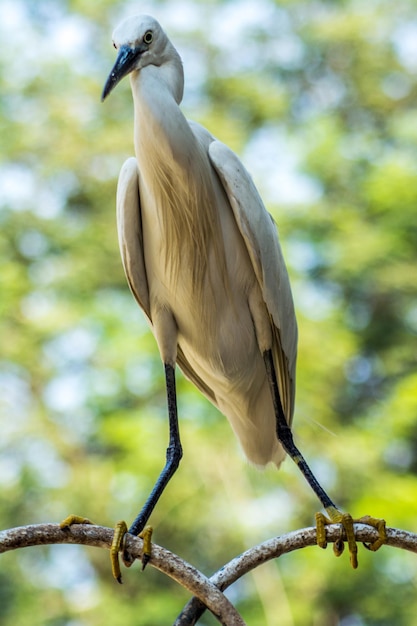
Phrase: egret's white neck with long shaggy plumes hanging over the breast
(176, 180)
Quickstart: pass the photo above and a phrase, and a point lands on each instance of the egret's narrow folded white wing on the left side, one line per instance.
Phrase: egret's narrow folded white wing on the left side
(129, 228)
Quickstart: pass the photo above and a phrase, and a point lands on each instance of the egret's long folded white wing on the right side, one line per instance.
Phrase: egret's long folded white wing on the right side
(261, 238)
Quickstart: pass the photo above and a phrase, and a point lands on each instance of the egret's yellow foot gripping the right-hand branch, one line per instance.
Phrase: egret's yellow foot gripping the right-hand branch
(346, 520)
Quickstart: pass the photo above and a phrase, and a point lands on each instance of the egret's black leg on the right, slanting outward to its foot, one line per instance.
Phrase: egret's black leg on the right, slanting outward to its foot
(285, 437)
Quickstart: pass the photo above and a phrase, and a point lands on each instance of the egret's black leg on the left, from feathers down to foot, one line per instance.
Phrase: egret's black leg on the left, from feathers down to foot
(173, 454)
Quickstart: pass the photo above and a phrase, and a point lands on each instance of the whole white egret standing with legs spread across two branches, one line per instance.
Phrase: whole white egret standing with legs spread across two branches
(203, 260)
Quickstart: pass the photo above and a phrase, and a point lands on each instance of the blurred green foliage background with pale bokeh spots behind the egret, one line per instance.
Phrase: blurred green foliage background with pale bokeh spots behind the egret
(319, 100)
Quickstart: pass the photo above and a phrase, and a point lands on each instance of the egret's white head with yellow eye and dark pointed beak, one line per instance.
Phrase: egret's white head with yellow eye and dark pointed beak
(140, 41)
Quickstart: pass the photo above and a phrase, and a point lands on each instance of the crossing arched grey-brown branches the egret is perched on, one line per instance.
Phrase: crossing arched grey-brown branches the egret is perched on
(208, 592)
